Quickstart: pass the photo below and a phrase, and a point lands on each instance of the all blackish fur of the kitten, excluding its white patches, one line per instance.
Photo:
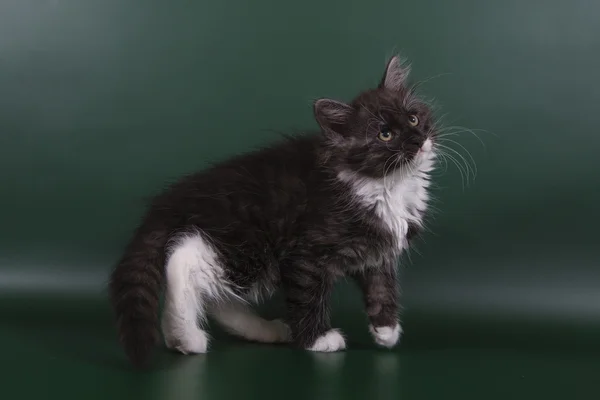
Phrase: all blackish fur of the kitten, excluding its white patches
(280, 217)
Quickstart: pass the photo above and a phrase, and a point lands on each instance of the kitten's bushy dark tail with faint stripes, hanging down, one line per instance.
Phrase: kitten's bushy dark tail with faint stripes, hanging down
(135, 288)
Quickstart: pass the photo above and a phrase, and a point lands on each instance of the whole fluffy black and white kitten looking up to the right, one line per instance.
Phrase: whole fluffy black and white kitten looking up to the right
(296, 215)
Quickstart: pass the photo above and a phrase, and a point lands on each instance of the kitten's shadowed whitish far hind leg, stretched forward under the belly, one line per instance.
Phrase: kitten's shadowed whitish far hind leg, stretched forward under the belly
(239, 319)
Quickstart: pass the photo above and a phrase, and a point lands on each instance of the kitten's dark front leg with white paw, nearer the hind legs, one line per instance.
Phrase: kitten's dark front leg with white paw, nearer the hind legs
(307, 288)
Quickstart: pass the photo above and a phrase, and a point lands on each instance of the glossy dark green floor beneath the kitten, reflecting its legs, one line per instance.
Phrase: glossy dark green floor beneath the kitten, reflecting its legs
(65, 348)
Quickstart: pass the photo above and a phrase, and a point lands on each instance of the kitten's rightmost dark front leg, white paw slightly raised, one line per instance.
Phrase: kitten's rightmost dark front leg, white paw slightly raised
(380, 290)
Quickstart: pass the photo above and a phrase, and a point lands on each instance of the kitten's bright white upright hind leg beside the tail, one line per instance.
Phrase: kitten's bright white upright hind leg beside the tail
(194, 279)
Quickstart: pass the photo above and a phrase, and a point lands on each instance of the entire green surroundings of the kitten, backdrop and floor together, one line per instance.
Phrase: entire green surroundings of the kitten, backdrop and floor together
(103, 101)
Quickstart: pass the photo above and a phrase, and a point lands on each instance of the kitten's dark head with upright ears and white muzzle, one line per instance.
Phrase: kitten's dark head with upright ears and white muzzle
(381, 130)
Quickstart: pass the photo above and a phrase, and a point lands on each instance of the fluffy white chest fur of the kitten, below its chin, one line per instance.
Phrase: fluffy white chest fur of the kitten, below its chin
(400, 198)
